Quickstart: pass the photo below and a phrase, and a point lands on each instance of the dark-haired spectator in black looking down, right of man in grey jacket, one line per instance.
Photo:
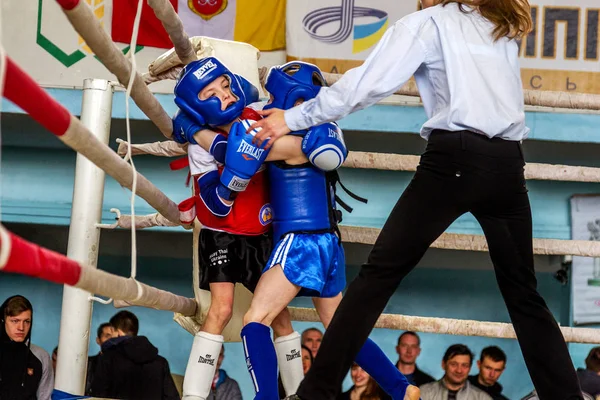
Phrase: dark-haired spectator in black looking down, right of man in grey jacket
(491, 365)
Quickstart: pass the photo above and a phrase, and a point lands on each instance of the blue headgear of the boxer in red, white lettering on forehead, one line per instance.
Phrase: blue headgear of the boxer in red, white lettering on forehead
(195, 77)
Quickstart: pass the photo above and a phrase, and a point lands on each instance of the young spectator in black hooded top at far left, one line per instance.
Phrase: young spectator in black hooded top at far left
(25, 369)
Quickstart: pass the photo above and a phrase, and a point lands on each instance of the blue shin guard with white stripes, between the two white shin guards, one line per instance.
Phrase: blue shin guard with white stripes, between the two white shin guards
(261, 360)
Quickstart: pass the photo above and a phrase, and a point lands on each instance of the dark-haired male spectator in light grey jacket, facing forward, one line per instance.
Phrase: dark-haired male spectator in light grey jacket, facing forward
(456, 363)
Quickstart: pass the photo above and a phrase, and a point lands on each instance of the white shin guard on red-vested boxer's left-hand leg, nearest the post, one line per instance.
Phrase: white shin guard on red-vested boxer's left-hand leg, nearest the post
(202, 365)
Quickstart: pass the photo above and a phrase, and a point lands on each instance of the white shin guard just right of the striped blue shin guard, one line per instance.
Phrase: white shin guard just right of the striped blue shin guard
(289, 357)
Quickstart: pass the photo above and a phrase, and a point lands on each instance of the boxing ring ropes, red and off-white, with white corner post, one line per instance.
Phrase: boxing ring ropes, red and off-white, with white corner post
(89, 138)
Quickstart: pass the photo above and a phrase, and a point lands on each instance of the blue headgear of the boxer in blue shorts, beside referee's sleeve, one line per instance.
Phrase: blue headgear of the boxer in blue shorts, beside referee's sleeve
(292, 81)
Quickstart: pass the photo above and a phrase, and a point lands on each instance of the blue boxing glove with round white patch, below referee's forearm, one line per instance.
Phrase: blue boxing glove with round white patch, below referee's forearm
(324, 146)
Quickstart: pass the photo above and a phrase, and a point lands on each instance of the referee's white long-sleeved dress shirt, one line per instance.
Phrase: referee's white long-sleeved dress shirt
(467, 81)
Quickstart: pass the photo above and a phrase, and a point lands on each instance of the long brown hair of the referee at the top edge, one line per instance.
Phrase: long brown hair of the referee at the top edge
(511, 17)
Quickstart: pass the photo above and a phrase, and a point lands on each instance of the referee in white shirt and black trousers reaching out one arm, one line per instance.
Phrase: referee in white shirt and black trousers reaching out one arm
(464, 57)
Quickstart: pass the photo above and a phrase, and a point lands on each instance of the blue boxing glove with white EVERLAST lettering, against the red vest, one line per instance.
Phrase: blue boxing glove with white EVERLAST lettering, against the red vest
(242, 158)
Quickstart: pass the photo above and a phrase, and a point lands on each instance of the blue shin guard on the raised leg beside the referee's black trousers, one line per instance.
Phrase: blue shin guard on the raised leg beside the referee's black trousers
(372, 359)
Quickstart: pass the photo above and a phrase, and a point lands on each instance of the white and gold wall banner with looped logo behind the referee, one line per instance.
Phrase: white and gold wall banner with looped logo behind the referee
(562, 53)
